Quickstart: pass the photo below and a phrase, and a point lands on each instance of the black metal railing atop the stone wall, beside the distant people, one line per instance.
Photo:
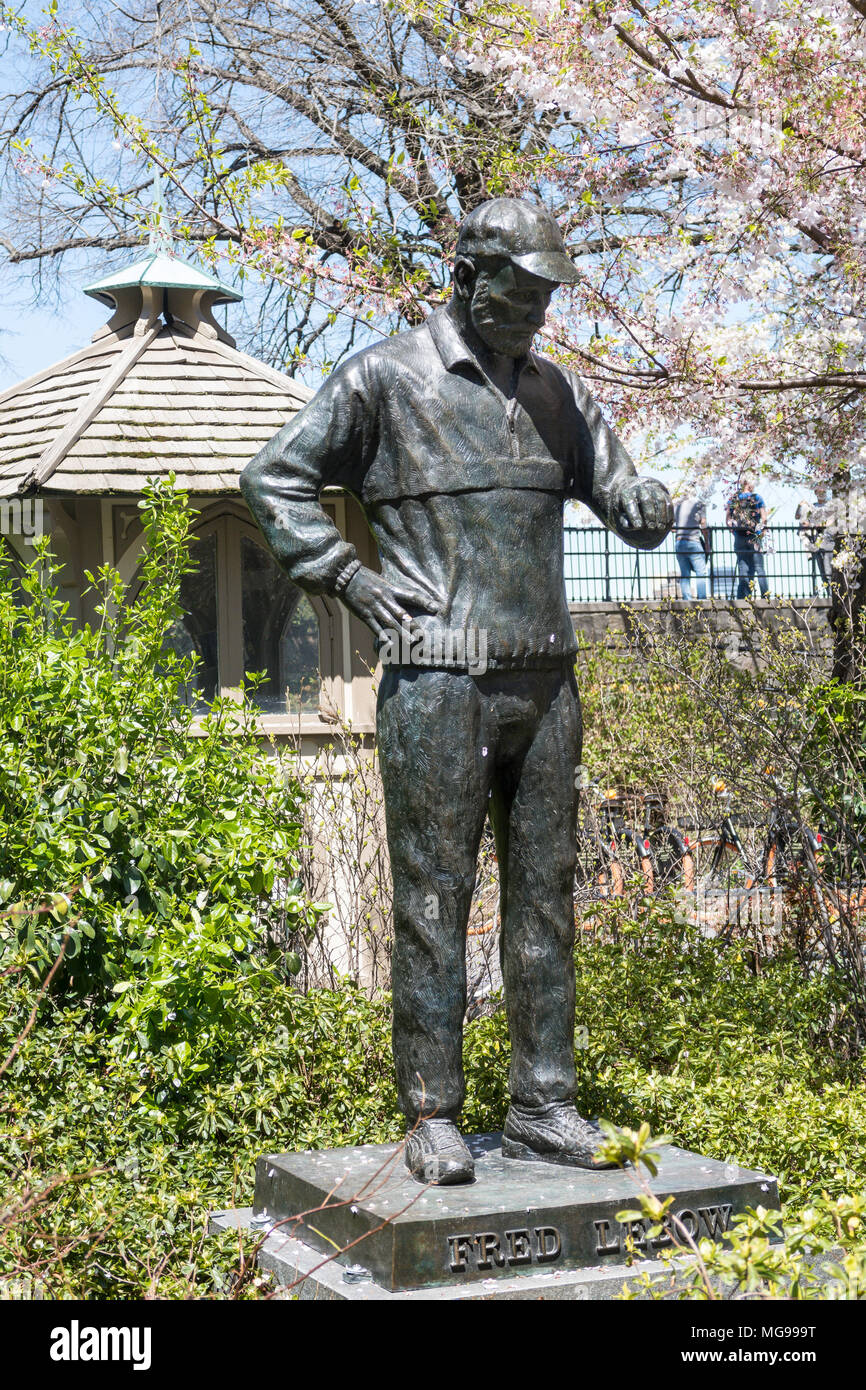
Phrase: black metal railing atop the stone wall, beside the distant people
(601, 569)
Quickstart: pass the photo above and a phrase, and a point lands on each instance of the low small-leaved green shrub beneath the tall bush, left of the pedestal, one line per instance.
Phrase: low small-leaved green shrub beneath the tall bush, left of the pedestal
(133, 1154)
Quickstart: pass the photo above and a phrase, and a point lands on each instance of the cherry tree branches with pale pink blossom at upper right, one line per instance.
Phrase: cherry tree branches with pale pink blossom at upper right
(708, 161)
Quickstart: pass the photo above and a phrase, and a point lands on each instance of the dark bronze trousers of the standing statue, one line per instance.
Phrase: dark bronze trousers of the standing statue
(454, 749)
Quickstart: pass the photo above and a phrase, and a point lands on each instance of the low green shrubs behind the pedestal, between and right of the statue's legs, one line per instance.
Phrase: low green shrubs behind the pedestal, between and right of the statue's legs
(678, 1031)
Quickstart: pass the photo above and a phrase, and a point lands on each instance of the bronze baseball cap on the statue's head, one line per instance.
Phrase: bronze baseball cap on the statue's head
(523, 233)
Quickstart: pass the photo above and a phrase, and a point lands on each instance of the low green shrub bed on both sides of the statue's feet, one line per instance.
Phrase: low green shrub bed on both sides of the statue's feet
(678, 1032)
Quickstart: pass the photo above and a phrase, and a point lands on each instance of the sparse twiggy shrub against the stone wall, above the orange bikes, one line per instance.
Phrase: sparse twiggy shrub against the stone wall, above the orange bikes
(771, 739)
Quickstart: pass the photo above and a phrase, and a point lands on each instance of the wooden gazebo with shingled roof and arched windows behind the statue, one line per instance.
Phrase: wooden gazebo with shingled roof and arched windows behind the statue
(163, 389)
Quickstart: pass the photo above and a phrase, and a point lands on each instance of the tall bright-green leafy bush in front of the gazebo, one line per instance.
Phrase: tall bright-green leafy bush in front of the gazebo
(154, 850)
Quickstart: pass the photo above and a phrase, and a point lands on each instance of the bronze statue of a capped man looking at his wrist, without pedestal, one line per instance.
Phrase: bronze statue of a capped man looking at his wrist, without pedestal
(462, 447)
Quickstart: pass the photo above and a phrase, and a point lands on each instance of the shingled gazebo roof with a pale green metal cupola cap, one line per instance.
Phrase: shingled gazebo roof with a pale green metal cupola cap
(162, 389)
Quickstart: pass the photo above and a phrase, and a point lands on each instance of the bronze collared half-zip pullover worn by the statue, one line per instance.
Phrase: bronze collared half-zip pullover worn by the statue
(464, 489)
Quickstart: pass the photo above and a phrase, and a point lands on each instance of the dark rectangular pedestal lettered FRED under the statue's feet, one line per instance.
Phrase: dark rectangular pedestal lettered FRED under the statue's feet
(518, 1223)
